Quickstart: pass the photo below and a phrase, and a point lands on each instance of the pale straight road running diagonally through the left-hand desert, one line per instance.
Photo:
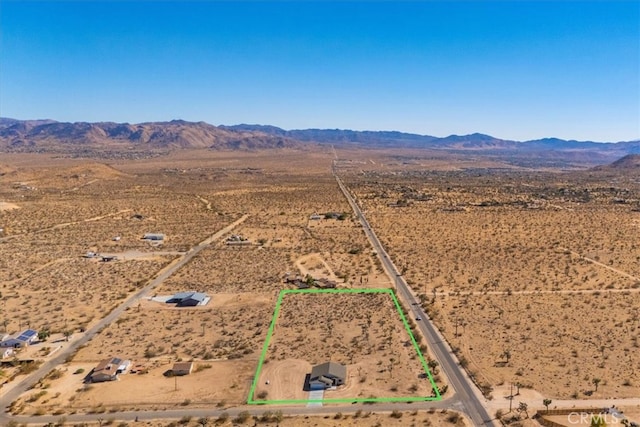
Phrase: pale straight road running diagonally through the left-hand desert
(13, 391)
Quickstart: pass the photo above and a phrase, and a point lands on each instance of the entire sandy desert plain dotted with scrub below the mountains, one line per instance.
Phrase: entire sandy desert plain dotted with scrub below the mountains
(531, 275)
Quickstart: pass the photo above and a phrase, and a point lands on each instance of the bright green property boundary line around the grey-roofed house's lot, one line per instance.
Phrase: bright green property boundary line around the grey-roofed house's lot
(265, 348)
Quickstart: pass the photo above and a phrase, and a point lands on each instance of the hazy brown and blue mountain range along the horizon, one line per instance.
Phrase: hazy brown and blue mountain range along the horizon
(53, 136)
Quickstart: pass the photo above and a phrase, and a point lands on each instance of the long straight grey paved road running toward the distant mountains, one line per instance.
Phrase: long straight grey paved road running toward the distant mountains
(466, 392)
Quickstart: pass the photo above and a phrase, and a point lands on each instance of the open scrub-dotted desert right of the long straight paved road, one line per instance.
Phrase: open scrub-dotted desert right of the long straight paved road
(533, 277)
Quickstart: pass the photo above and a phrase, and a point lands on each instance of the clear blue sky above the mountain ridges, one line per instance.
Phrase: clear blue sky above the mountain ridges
(513, 69)
